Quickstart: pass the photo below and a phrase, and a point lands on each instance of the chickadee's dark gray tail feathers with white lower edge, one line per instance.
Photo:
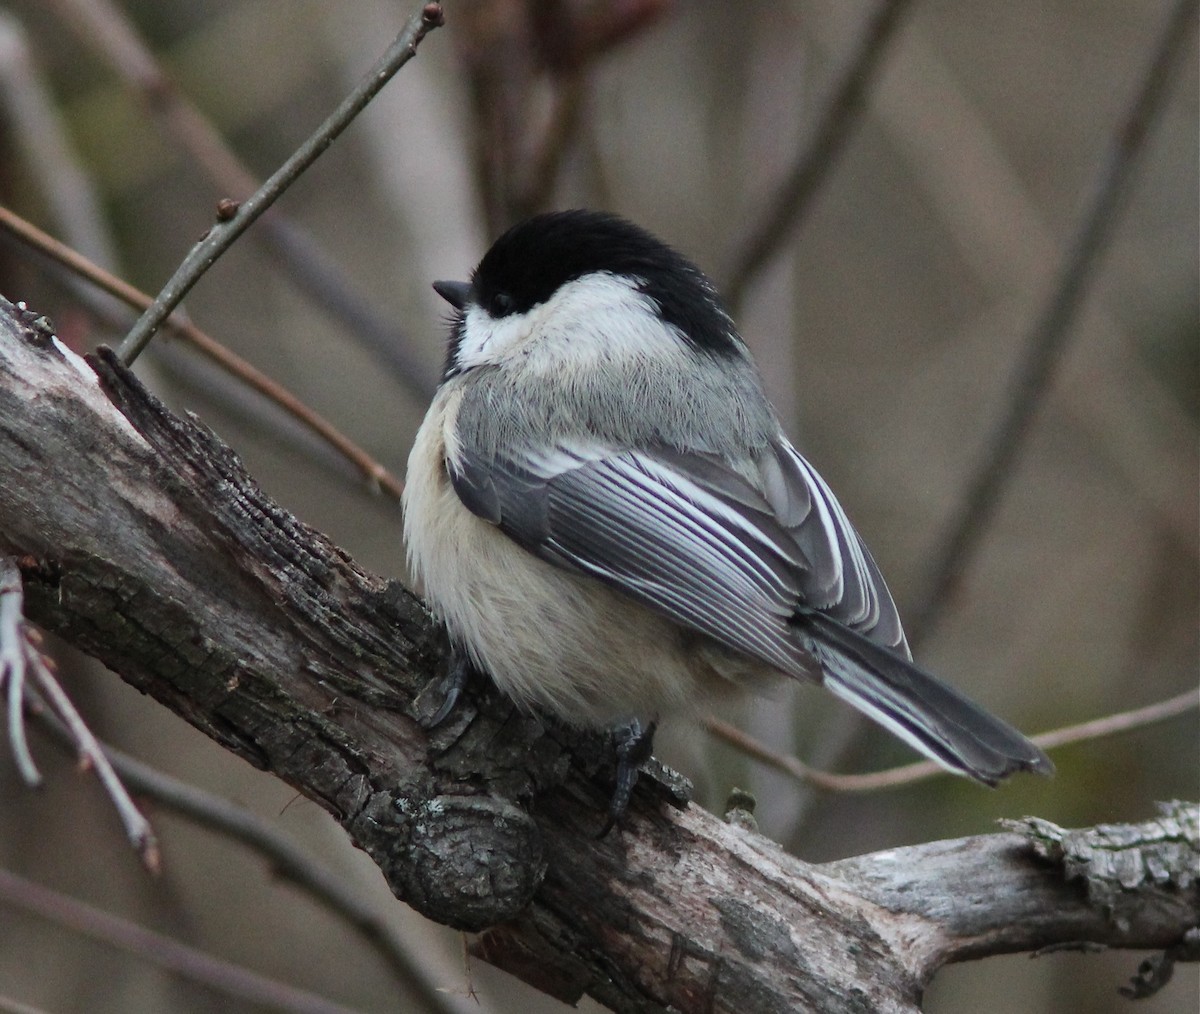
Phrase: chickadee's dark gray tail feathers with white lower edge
(925, 712)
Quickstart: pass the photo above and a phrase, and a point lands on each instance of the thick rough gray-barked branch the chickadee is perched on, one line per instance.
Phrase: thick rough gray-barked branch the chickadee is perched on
(142, 541)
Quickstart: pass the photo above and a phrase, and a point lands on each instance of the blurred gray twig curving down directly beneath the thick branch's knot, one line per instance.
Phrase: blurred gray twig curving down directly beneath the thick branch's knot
(289, 862)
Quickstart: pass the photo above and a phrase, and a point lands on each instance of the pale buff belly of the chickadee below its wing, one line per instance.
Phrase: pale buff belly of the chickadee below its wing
(549, 638)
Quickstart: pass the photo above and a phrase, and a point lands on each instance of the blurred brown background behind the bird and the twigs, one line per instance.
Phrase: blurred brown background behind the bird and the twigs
(890, 327)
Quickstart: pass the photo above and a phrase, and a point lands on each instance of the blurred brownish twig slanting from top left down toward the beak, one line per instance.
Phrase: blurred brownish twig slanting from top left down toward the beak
(105, 28)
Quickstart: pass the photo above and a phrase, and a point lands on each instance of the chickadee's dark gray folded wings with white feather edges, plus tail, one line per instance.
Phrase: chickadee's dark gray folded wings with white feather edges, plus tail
(778, 574)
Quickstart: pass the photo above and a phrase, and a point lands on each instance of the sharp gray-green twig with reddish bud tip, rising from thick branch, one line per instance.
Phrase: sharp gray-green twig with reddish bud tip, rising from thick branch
(226, 231)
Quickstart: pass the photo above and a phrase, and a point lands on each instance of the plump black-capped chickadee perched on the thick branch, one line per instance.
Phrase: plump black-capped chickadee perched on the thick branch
(605, 512)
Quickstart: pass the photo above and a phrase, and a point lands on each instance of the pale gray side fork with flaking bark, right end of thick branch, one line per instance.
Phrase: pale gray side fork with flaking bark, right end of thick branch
(1112, 885)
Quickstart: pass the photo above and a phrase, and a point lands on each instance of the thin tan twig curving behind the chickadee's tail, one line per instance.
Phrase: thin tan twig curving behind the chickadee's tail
(908, 775)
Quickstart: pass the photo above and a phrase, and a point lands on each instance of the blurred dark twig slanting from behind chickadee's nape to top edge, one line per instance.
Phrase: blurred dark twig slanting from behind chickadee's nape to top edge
(785, 212)
